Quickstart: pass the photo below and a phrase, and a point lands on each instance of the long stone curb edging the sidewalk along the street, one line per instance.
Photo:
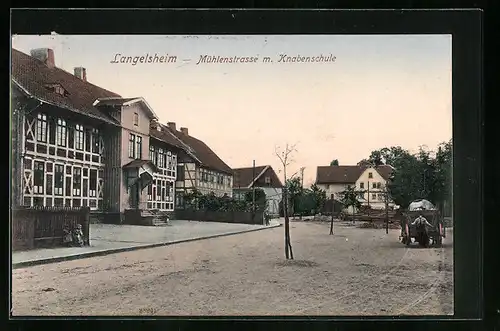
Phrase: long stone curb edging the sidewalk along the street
(31, 263)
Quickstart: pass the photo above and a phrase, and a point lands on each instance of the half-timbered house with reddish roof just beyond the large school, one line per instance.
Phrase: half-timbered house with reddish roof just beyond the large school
(198, 167)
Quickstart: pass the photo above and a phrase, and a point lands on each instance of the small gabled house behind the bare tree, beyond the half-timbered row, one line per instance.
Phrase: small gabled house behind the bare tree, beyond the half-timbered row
(263, 177)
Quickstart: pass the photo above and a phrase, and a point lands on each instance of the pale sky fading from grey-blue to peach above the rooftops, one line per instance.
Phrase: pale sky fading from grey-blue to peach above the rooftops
(380, 91)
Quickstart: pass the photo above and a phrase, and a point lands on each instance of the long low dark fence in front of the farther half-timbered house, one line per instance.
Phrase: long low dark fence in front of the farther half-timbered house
(220, 216)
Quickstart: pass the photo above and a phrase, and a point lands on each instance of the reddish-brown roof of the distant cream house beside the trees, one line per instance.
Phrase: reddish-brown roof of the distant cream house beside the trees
(347, 174)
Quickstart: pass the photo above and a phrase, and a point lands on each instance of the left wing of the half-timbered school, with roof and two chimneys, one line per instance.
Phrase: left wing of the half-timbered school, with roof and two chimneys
(58, 136)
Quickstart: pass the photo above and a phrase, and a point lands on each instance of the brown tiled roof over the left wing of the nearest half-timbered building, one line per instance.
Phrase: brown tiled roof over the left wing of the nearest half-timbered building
(32, 75)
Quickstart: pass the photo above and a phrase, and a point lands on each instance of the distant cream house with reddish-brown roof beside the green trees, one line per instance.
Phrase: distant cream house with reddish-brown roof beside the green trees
(371, 181)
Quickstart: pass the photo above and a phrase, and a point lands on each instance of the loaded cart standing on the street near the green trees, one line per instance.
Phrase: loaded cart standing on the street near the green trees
(423, 223)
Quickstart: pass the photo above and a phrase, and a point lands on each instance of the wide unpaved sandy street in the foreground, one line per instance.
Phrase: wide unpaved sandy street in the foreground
(355, 272)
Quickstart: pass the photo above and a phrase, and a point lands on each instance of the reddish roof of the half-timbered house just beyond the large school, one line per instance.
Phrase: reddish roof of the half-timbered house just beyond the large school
(204, 154)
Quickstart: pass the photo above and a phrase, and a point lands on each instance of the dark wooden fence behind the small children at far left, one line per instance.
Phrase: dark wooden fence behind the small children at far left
(35, 227)
